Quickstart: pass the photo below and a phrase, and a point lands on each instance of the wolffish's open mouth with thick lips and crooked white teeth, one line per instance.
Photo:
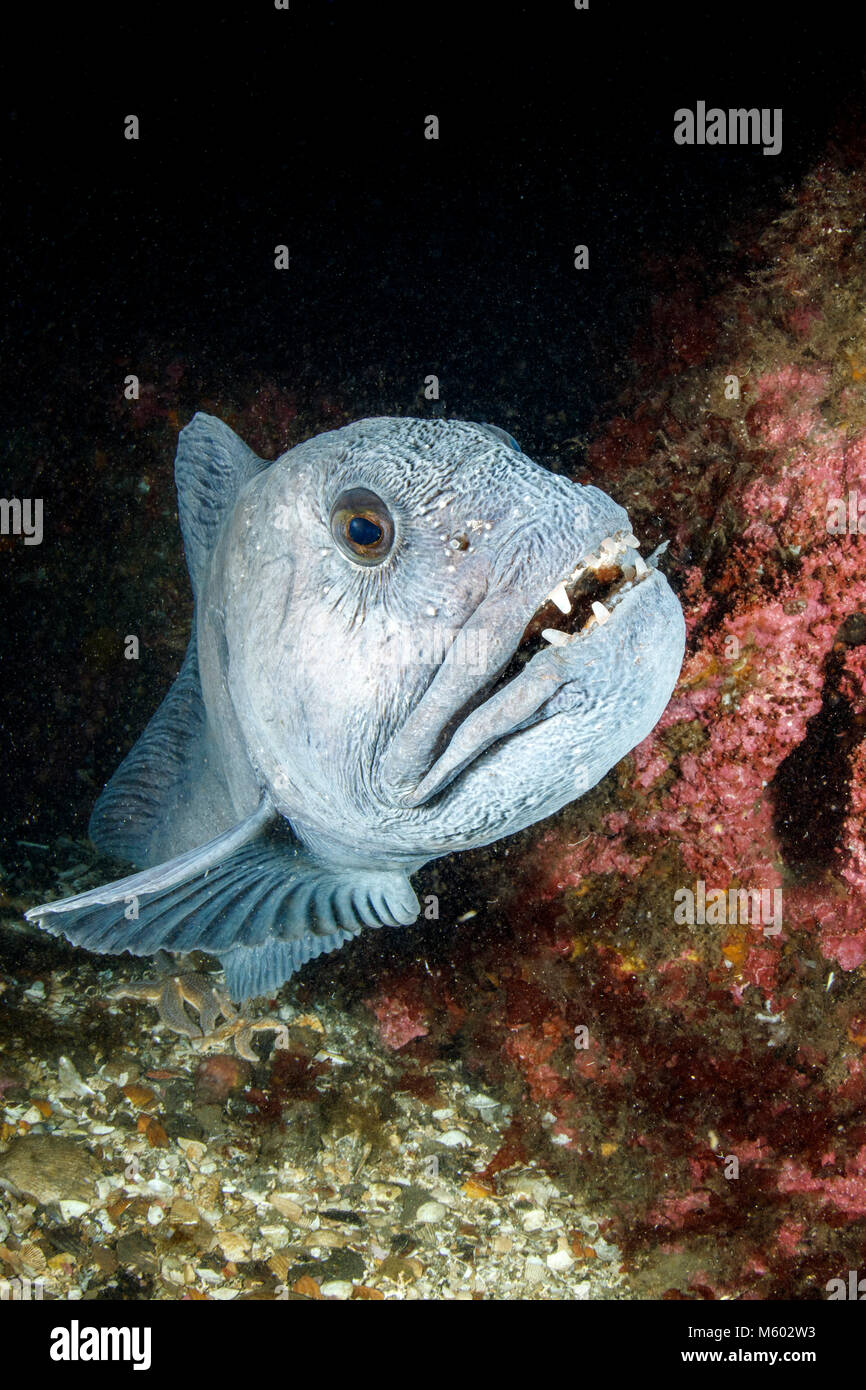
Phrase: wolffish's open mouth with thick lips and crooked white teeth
(537, 647)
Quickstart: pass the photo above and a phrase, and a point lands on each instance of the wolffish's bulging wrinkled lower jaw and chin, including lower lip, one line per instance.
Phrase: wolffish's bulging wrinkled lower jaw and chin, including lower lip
(553, 733)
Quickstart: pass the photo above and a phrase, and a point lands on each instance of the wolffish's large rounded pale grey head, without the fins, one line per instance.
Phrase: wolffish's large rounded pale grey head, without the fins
(418, 640)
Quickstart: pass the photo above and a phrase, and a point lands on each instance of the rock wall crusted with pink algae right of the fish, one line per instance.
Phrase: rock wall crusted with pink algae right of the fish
(707, 1077)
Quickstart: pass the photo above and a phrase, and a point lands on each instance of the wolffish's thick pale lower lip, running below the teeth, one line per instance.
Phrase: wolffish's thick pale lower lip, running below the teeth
(544, 676)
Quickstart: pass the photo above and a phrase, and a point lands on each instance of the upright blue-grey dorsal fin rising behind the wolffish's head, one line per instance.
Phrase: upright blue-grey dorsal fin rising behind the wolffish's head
(211, 468)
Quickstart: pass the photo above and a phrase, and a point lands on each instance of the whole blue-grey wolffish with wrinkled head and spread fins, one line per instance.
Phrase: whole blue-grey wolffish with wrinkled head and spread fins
(408, 640)
